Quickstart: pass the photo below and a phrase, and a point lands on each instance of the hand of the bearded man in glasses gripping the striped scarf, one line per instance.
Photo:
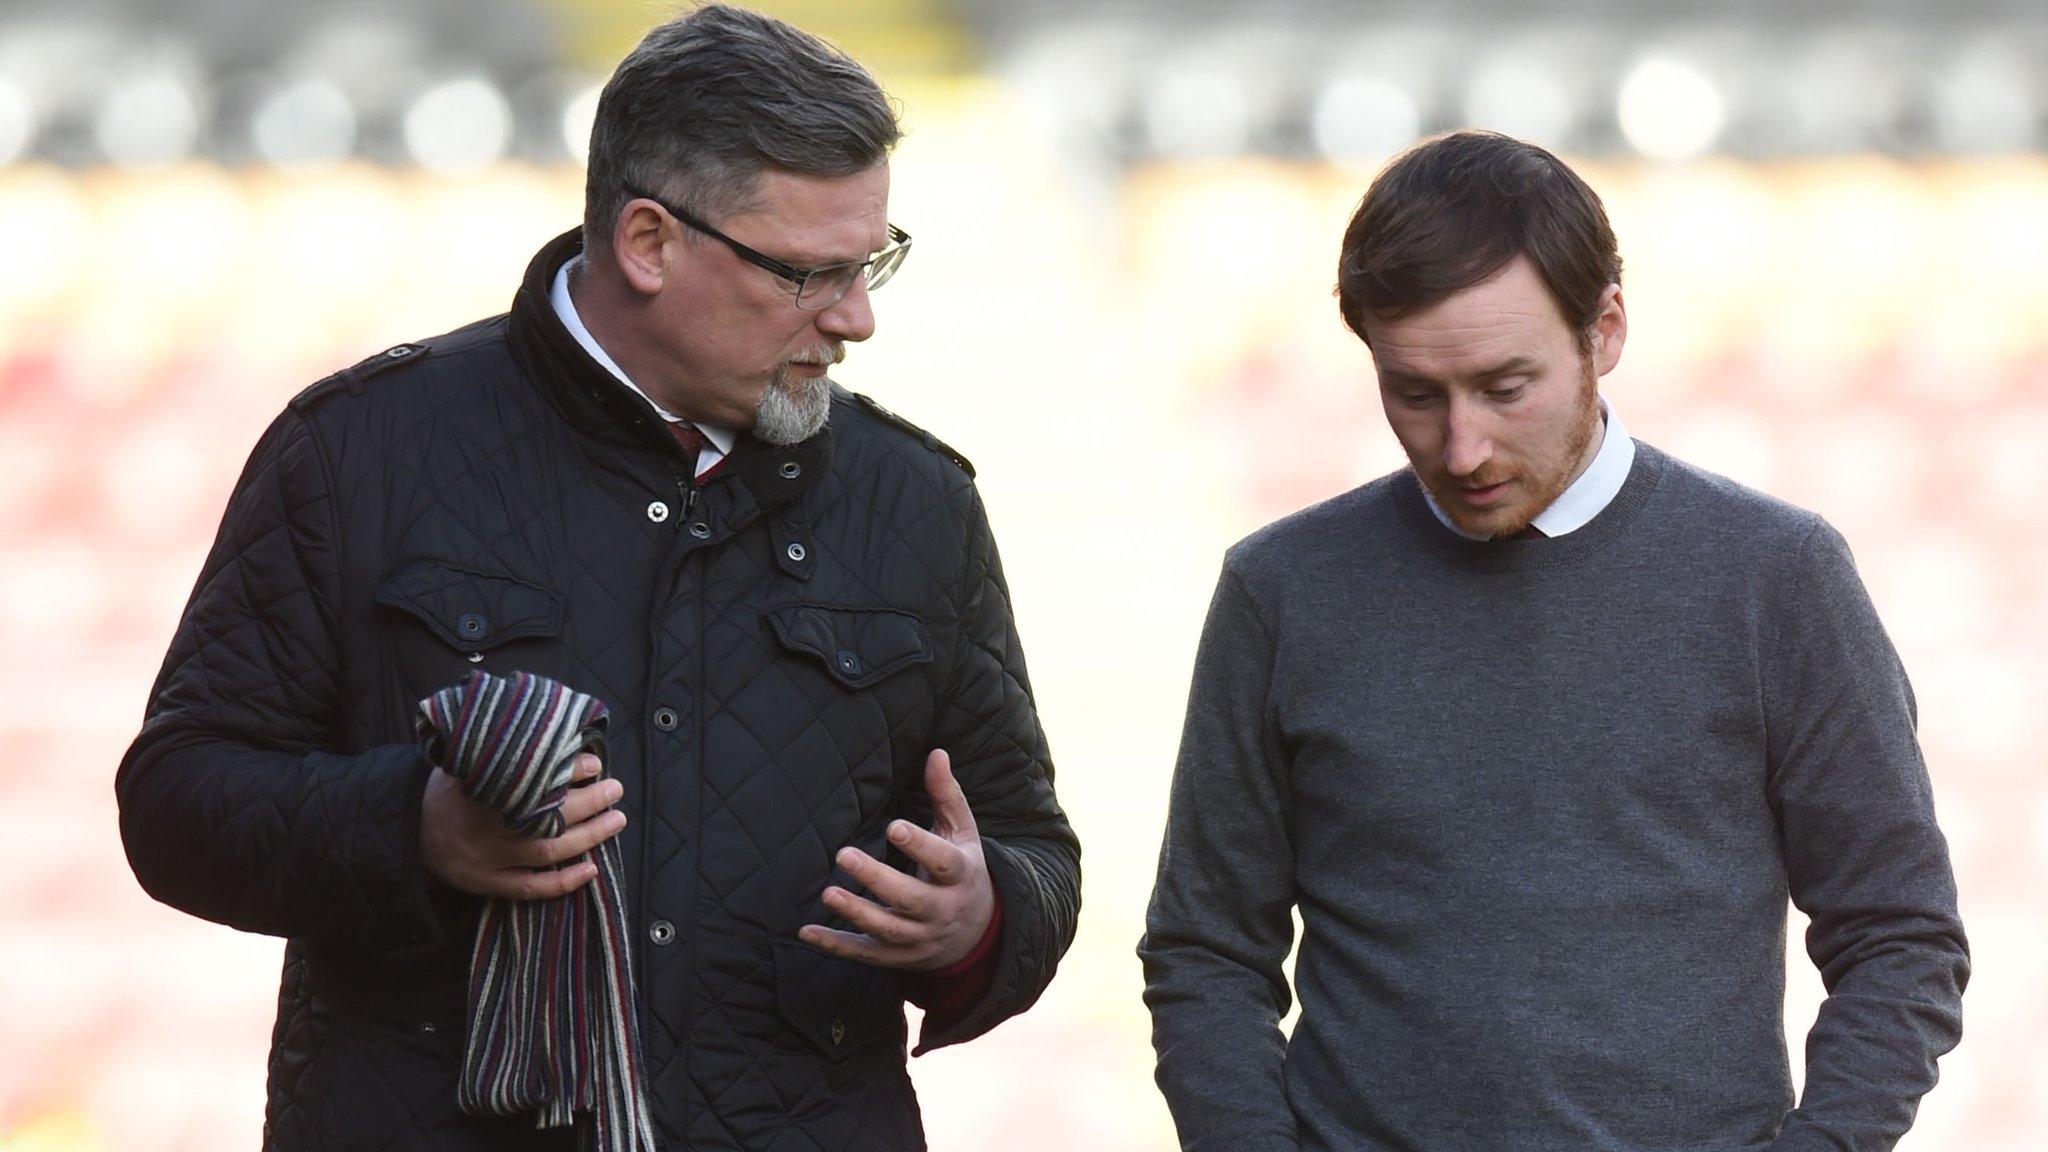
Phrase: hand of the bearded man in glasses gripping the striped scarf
(468, 846)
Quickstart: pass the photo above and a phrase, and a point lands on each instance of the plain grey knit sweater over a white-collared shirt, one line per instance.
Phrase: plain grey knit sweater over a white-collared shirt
(1541, 807)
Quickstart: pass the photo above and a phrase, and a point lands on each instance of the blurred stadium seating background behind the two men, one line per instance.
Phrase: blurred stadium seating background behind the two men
(1127, 212)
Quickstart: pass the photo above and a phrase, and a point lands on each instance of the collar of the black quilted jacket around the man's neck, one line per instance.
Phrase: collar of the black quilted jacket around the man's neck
(597, 405)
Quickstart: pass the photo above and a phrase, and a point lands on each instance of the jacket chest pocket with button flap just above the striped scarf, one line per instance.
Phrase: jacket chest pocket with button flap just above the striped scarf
(447, 622)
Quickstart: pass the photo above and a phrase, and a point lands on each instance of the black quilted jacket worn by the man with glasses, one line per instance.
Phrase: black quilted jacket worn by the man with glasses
(779, 657)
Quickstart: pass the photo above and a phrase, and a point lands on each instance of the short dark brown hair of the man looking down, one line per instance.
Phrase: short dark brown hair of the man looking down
(1455, 210)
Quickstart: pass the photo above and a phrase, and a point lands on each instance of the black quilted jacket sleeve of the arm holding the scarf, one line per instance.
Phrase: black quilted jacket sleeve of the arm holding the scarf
(234, 805)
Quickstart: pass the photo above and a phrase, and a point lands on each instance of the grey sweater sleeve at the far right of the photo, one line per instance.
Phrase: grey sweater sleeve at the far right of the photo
(1865, 860)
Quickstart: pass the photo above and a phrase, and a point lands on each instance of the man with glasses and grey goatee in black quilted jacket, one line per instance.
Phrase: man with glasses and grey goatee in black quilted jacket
(824, 782)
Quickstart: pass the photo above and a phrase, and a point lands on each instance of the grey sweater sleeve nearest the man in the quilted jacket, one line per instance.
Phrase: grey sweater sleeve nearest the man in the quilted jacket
(1222, 915)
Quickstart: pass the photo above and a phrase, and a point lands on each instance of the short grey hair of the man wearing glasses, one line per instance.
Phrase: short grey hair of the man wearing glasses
(716, 97)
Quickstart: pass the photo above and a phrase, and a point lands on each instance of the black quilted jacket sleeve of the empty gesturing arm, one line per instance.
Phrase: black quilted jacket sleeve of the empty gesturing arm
(986, 721)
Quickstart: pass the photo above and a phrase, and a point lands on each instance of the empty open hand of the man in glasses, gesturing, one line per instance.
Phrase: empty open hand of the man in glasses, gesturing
(925, 921)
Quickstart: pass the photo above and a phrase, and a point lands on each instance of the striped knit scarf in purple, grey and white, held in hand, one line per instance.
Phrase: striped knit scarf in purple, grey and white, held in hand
(554, 1018)
